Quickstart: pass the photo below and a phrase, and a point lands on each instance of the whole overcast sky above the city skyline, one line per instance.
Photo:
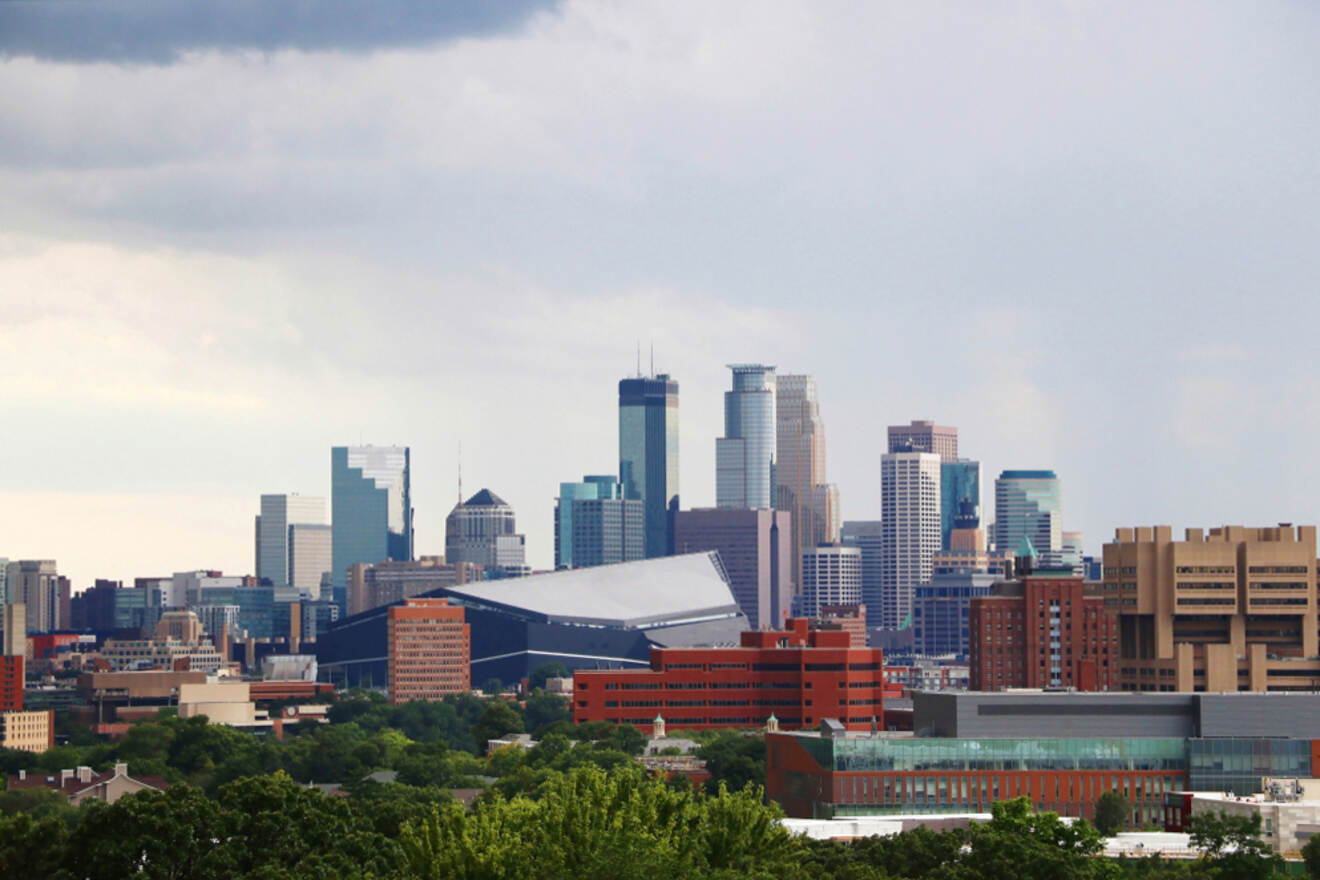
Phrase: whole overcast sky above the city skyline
(237, 234)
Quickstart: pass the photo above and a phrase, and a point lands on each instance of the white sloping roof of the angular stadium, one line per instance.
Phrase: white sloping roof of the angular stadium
(634, 596)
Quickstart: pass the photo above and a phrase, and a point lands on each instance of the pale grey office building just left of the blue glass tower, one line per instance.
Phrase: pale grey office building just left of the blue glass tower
(275, 543)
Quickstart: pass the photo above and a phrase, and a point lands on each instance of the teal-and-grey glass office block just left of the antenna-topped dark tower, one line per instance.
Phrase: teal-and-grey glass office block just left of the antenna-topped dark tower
(596, 526)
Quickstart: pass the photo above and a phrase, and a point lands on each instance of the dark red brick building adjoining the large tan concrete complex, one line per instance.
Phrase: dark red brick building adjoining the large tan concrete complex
(1047, 630)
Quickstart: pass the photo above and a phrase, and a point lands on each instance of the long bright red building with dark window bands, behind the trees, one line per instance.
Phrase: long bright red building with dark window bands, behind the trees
(798, 675)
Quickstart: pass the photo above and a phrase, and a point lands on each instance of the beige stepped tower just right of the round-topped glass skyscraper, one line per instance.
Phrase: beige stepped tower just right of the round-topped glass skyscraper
(801, 486)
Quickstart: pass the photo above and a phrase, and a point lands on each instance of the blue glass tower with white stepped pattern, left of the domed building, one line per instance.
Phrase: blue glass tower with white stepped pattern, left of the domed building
(372, 509)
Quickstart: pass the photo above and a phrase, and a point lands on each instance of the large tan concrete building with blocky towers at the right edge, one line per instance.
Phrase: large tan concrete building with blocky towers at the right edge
(1232, 609)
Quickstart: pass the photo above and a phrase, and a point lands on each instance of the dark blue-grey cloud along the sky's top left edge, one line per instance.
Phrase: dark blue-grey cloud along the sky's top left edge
(159, 31)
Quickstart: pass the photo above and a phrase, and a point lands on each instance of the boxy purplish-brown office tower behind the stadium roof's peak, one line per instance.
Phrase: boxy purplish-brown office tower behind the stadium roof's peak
(756, 551)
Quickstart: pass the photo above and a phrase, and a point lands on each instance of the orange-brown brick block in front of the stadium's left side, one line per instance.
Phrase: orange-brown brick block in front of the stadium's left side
(430, 650)
